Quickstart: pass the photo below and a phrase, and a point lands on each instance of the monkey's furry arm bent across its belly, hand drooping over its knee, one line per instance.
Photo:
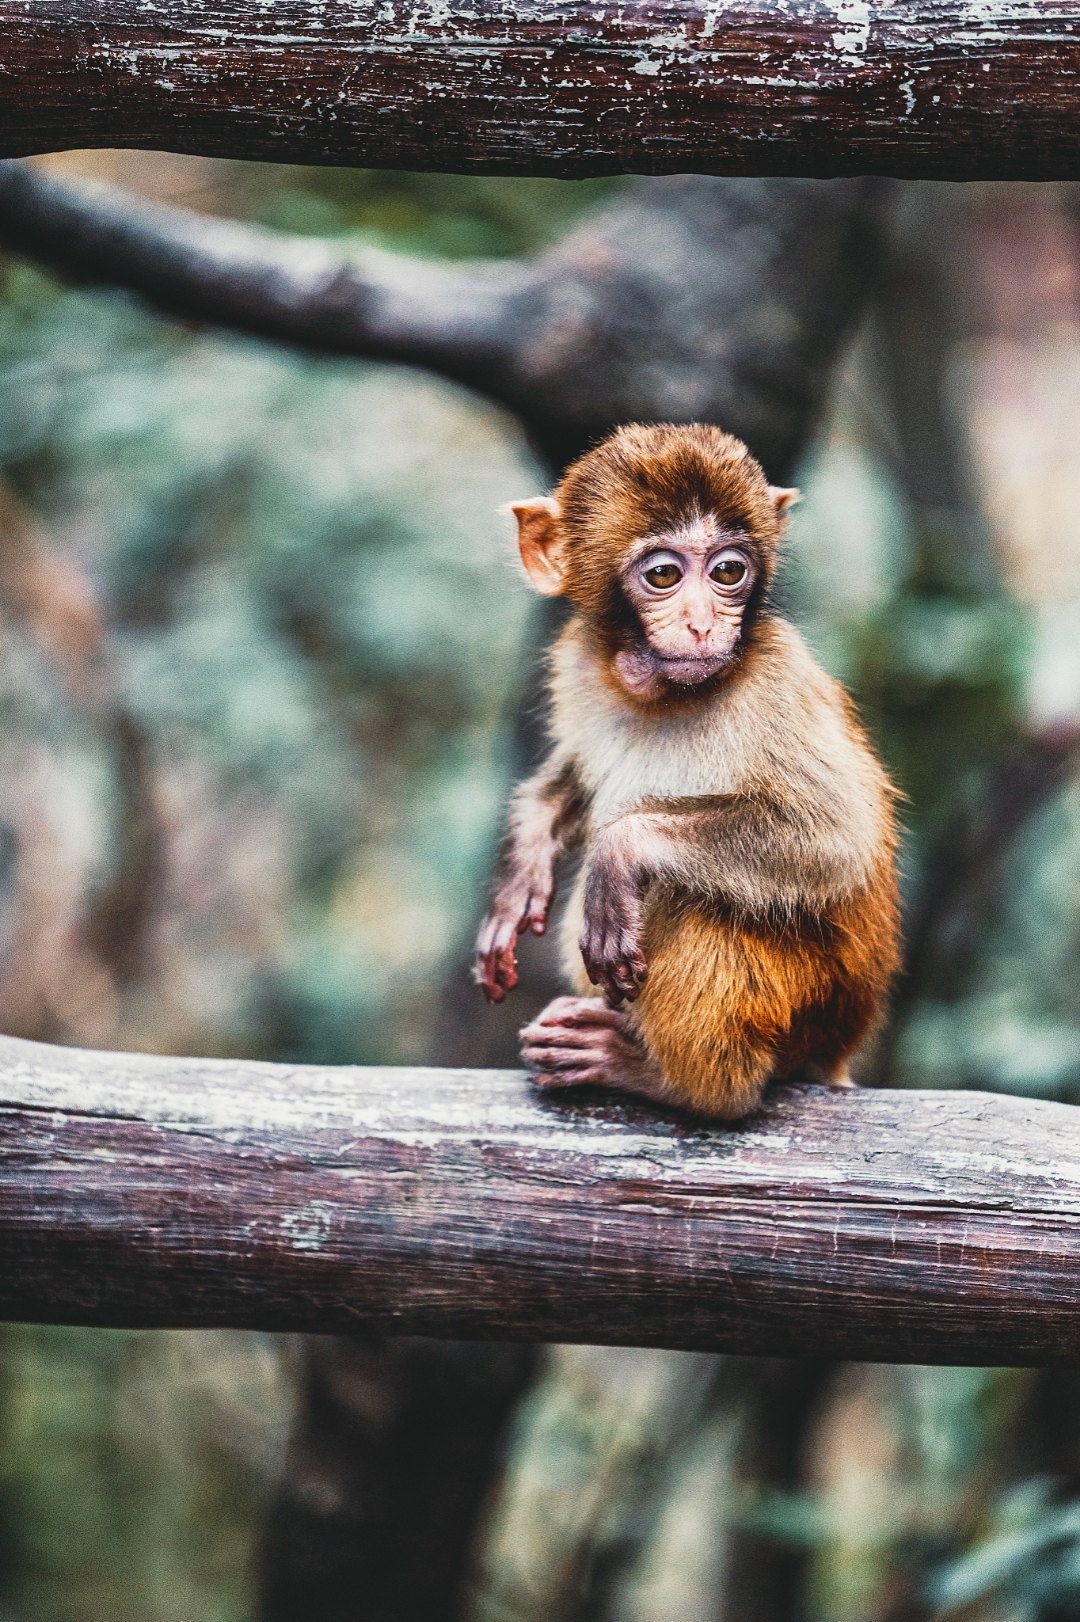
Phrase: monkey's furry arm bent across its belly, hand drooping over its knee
(758, 854)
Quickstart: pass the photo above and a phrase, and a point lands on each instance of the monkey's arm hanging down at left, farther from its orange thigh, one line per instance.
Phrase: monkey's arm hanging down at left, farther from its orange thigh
(547, 818)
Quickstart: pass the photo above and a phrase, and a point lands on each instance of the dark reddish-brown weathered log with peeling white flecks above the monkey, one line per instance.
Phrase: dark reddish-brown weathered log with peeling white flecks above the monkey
(920, 88)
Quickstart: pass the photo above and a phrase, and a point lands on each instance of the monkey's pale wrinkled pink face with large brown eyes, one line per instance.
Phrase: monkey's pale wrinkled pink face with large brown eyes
(690, 590)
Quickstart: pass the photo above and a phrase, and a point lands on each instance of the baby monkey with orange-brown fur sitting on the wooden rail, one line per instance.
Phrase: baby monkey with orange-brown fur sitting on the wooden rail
(737, 901)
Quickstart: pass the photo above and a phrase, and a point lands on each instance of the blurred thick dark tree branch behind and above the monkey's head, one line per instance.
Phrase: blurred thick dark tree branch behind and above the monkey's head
(687, 299)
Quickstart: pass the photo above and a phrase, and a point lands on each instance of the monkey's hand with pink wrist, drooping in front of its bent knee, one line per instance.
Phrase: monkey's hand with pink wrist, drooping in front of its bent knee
(611, 940)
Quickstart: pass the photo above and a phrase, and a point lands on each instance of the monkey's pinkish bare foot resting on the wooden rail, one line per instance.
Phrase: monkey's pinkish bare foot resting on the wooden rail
(581, 1041)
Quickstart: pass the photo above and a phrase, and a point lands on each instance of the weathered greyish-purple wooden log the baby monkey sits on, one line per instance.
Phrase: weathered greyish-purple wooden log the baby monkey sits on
(876, 1225)
